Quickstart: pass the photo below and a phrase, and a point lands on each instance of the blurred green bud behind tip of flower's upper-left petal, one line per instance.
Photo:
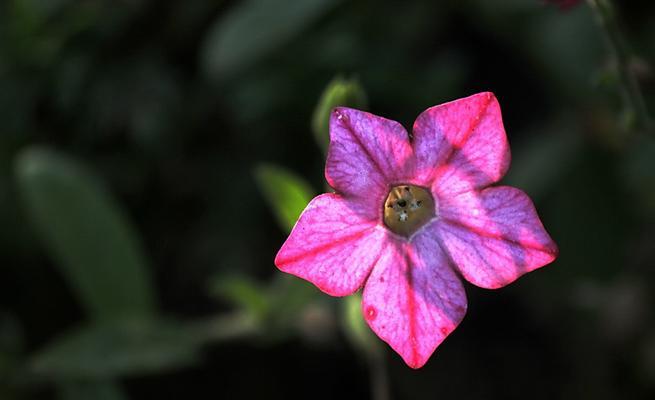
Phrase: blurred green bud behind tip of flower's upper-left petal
(339, 92)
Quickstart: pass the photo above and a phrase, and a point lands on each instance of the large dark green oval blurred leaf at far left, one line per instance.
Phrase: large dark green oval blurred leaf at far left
(86, 233)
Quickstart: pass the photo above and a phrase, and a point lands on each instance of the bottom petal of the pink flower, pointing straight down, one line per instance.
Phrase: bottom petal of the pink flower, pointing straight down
(413, 299)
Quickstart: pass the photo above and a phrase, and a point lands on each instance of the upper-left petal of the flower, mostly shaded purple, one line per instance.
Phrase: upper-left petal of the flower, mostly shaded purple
(366, 154)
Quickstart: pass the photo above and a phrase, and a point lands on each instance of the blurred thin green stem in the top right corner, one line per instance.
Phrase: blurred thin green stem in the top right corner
(631, 93)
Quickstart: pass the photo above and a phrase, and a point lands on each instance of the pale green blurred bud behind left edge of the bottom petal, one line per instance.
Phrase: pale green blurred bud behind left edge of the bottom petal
(356, 329)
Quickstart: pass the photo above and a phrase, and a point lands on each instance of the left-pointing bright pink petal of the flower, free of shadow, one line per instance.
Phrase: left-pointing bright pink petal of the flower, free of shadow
(332, 246)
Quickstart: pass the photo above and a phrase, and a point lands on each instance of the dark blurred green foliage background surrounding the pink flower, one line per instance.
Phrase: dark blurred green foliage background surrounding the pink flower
(153, 155)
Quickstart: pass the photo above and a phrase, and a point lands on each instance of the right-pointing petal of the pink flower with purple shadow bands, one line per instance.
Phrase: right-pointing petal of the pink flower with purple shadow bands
(494, 236)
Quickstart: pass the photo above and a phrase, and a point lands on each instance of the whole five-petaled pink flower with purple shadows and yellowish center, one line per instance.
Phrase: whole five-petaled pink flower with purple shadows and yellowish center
(413, 214)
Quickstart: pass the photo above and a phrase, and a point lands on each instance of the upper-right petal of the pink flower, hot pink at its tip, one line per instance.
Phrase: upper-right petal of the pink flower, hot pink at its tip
(461, 145)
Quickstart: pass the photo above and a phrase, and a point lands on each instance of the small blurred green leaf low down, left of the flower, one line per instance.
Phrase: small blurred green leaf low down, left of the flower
(243, 292)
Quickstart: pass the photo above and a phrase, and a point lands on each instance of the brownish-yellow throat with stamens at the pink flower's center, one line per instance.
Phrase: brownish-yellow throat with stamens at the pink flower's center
(408, 208)
